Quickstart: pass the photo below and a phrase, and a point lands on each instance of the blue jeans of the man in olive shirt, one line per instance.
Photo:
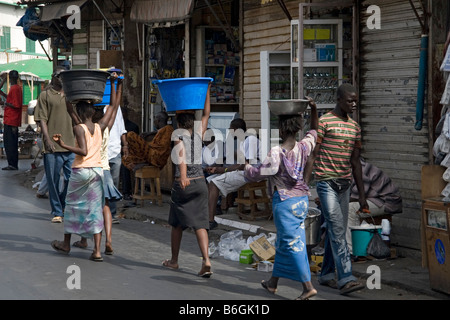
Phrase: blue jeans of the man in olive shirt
(53, 164)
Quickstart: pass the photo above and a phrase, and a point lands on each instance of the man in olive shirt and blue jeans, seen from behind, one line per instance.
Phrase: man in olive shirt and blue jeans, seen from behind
(51, 114)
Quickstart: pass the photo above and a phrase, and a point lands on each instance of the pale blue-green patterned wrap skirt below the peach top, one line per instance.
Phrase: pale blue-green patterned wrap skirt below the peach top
(84, 202)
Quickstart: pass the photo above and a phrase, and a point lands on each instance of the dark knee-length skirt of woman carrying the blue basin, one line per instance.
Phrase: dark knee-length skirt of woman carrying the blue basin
(189, 207)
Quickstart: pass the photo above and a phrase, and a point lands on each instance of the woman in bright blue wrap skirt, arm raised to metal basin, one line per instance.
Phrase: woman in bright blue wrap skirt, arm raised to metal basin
(284, 167)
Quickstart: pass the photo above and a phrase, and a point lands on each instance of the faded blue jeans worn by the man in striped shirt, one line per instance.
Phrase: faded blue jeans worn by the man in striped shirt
(334, 206)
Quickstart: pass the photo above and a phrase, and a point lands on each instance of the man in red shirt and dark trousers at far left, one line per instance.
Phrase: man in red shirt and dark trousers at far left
(12, 120)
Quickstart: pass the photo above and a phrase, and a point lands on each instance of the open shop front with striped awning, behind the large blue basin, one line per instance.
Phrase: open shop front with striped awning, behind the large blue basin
(181, 39)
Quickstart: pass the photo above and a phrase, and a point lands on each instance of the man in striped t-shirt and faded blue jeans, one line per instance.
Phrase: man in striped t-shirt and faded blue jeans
(335, 160)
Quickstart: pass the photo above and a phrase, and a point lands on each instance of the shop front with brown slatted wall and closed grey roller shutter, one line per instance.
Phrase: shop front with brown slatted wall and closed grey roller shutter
(375, 45)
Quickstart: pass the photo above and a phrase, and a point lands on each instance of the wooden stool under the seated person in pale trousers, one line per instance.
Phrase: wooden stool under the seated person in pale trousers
(248, 197)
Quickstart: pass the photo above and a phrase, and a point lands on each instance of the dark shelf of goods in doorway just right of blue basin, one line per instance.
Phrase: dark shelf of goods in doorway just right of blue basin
(221, 63)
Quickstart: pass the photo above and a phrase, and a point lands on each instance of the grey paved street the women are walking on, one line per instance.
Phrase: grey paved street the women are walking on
(31, 269)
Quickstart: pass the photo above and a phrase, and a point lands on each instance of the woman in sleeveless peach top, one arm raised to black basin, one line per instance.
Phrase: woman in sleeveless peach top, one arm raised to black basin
(85, 194)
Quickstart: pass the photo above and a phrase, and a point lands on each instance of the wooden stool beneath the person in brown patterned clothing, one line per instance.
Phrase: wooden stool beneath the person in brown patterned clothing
(153, 174)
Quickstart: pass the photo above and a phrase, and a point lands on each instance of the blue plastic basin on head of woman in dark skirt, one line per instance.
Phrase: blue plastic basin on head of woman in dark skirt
(183, 93)
